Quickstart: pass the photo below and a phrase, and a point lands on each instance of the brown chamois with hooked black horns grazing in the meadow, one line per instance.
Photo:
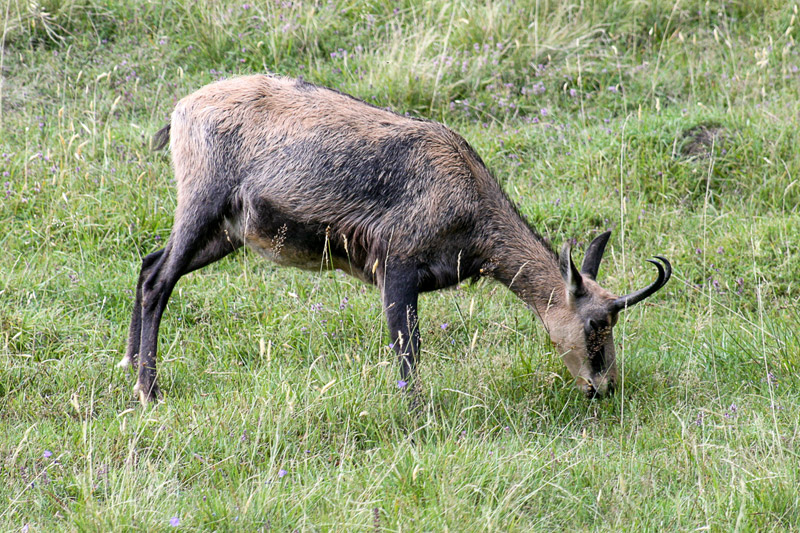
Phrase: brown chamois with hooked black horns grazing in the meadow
(306, 175)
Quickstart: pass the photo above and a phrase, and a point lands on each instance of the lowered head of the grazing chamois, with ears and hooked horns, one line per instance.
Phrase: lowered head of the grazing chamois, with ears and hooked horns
(583, 328)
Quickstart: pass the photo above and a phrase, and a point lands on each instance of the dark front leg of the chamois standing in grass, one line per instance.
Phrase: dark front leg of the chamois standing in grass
(400, 292)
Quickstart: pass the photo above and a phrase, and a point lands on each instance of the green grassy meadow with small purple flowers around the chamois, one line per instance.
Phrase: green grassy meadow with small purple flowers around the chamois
(588, 114)
